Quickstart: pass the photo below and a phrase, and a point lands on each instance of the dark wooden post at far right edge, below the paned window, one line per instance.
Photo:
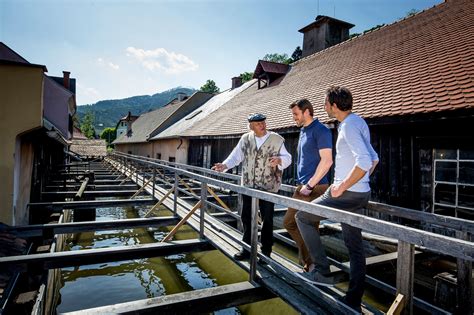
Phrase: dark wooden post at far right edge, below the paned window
(465, 292)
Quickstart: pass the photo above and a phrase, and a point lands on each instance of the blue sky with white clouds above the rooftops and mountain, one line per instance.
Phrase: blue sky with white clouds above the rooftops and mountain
(116, 49)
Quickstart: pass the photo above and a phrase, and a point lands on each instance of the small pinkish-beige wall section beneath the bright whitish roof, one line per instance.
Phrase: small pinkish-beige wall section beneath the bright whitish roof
(169, 149)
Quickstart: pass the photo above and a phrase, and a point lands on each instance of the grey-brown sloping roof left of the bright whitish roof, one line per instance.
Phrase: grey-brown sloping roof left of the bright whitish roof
(147, 124)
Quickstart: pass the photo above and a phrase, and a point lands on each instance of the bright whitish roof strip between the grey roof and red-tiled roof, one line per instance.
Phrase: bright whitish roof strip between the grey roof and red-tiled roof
(184, 126)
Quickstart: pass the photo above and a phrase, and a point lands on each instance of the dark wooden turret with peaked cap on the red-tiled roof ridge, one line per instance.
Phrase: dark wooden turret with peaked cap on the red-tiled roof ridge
(323, 33)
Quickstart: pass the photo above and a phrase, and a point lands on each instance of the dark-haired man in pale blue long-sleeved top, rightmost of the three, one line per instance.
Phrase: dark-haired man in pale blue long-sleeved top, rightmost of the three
(350, 191)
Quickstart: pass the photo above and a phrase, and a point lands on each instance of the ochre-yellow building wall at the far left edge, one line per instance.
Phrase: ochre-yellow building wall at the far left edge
(21, 110)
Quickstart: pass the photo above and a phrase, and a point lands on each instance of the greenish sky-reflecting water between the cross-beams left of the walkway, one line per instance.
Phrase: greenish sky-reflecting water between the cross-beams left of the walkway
(117, 282)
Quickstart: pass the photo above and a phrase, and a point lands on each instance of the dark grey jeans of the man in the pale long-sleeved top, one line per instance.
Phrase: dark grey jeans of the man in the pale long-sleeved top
(348, 201)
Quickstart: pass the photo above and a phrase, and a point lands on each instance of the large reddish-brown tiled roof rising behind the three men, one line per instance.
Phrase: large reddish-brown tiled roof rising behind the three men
(422, 64)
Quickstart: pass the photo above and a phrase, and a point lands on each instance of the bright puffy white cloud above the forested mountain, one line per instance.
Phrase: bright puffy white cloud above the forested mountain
(161, 59)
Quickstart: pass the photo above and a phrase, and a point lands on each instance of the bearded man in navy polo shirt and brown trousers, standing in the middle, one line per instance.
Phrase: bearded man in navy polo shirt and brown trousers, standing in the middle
(313, 163)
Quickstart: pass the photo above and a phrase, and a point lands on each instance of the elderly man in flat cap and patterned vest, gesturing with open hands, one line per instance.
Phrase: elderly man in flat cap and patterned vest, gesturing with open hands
(264, 157)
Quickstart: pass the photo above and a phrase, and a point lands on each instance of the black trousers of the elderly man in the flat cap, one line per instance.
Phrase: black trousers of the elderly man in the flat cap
(266, 210)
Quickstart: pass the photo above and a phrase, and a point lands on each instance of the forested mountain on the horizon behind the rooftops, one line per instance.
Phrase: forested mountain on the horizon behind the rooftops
(108, 112)
